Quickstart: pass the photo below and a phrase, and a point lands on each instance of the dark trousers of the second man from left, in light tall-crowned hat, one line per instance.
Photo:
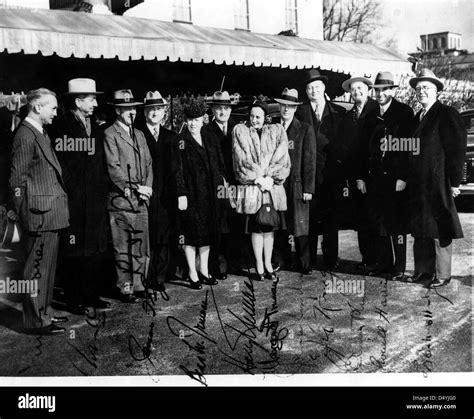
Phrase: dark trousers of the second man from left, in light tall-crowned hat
(81, 279)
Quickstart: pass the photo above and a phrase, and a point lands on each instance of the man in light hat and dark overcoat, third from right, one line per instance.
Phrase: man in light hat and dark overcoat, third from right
(356, 130)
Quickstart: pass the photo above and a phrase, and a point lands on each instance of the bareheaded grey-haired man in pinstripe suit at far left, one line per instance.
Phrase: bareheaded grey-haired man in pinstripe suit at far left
(40, 202)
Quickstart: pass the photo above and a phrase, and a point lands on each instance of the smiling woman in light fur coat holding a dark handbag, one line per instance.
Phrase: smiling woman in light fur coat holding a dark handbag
(261, 164)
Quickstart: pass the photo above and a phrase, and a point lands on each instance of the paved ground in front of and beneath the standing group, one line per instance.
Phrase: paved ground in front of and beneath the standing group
(320, 323)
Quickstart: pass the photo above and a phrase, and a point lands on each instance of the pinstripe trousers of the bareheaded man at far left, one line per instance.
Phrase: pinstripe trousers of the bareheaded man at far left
(40, 252)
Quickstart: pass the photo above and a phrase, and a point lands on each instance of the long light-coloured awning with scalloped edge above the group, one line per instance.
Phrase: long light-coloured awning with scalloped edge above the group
(85, 35)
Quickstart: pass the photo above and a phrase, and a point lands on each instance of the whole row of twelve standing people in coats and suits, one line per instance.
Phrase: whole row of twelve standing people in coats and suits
(193, 201)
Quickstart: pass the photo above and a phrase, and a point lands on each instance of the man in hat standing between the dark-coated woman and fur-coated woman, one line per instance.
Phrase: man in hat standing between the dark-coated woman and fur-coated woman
(227, 255)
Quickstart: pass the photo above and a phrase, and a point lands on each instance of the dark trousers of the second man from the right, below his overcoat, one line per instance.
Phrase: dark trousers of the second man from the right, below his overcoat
(391, 252)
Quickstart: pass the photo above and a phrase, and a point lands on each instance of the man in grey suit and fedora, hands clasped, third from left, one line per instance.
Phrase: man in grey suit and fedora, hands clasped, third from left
(129, 165)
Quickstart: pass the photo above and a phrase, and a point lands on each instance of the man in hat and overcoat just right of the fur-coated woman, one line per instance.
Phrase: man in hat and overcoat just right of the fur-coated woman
(300, 185)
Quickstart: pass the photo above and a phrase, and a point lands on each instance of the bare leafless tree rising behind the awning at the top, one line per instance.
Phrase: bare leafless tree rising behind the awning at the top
(350, 20)
